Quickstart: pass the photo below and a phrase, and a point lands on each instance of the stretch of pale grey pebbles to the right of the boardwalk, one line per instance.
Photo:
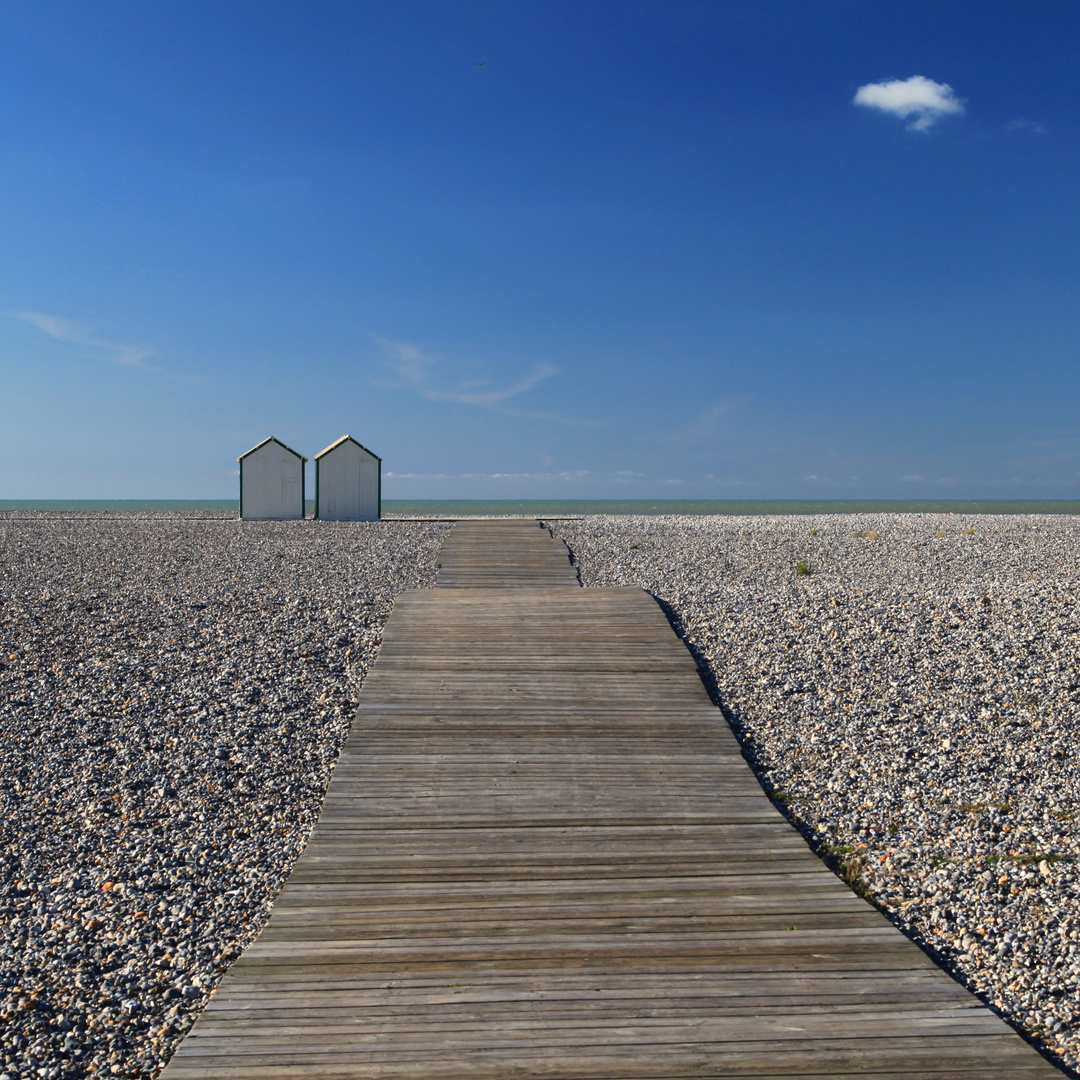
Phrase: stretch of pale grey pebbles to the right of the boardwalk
(912, 700)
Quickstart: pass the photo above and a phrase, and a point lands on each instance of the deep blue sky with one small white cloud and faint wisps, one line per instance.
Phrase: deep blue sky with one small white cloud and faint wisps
(580, 250)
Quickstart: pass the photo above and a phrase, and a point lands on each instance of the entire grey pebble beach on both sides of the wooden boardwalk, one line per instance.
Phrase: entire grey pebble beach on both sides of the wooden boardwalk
(174, 694)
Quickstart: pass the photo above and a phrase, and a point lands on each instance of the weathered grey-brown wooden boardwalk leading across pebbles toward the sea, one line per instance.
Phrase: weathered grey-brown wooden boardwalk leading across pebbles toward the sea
(543, 856)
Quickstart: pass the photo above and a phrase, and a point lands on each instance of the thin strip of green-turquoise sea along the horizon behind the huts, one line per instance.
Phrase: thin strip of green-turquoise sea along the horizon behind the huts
(573, 508)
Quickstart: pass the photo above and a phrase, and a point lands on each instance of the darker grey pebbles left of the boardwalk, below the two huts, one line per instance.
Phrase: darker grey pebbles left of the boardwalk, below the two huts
(173, 697)
